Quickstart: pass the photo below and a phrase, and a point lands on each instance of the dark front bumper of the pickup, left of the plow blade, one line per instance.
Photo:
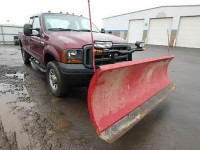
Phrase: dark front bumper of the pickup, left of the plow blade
(76, 75)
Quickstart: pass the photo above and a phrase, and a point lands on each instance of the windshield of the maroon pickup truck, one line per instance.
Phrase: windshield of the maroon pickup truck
(62, 22)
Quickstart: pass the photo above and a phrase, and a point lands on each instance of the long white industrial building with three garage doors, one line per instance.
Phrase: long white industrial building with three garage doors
(181, 23)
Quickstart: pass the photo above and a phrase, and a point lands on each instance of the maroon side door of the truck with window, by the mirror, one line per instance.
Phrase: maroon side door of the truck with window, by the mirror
(36, 42)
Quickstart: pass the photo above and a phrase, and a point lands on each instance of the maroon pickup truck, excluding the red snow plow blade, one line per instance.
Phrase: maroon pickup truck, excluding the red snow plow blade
(61, 45)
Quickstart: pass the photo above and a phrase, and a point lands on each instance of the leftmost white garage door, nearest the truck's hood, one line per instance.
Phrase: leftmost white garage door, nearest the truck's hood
(135, 32)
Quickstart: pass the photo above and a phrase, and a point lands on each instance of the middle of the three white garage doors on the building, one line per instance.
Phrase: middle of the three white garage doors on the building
(157, 34)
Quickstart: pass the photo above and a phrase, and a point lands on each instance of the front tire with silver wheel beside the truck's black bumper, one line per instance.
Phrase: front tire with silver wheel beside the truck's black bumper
(55, 80)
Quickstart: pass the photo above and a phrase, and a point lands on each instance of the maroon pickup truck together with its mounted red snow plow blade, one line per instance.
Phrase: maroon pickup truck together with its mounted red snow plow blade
(121, 91)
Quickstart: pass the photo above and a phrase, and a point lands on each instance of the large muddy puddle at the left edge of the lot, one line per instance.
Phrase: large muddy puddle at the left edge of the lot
(12, 100)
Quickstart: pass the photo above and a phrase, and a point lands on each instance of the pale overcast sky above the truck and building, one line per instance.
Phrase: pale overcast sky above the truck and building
(19, 11)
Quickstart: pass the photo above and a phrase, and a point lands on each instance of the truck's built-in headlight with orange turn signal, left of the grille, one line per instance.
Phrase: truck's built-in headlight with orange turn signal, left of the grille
(72, 56)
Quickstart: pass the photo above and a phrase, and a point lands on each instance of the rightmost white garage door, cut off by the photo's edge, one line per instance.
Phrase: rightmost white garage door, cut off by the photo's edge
(189, 32)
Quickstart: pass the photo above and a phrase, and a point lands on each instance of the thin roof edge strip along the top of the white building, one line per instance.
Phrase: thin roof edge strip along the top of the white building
(151, 9)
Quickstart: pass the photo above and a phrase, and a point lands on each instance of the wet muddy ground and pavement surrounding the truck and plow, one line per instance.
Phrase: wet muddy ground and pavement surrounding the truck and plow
(31, 118)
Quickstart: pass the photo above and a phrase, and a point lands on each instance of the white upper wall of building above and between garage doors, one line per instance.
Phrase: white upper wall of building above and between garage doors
(121, 22)
